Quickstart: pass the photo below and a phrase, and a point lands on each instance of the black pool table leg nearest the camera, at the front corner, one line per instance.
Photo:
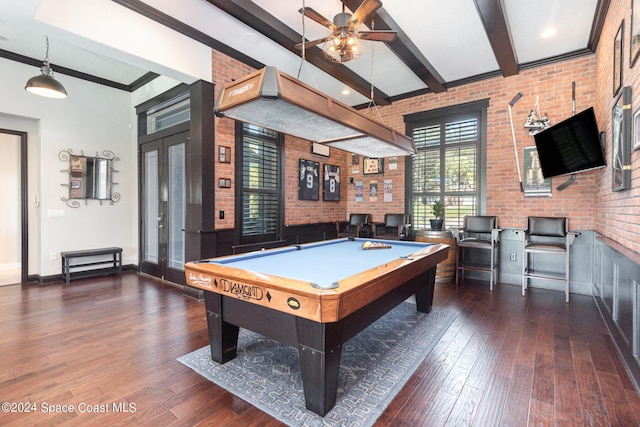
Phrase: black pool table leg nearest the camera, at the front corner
(319, 346)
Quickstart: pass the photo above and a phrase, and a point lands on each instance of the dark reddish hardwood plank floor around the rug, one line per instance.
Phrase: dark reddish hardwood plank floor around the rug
(111, 343)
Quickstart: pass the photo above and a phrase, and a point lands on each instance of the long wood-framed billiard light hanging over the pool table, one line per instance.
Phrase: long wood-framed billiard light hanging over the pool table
(277, 101)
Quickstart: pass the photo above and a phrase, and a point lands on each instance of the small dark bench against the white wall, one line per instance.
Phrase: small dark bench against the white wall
(114, 261)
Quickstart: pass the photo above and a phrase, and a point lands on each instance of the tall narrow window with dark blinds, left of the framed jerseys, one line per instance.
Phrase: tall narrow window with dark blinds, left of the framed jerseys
(261, 177)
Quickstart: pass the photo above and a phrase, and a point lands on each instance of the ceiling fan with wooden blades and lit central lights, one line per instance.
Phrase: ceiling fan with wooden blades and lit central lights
(344, 43)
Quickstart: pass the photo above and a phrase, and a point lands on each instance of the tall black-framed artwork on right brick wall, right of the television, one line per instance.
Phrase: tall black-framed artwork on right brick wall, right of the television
(621, 141)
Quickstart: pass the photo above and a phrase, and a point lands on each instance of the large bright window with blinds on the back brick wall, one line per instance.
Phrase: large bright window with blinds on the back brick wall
(449, 163)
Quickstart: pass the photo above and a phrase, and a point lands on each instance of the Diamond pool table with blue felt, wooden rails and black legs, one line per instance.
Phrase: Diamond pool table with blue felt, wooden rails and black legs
(313, 296)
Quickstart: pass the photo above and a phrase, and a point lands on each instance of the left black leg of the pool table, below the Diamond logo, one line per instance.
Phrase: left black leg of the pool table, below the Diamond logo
(223, 336)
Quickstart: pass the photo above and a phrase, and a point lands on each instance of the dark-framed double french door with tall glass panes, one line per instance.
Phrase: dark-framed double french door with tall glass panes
(163, 207)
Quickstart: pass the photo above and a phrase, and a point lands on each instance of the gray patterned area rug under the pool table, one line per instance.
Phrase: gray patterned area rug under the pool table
(374, 366)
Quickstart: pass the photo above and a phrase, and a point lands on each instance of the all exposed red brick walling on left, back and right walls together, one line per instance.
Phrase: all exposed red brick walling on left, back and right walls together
(589, 203)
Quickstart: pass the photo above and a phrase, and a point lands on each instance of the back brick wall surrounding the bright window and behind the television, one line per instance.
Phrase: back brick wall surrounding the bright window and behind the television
(552, 85)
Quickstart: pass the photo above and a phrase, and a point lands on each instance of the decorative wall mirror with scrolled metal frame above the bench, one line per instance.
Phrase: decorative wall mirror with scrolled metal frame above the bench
(89, 177)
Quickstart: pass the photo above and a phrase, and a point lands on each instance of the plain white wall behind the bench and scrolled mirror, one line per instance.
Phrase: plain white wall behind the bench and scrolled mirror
(93, 118)
